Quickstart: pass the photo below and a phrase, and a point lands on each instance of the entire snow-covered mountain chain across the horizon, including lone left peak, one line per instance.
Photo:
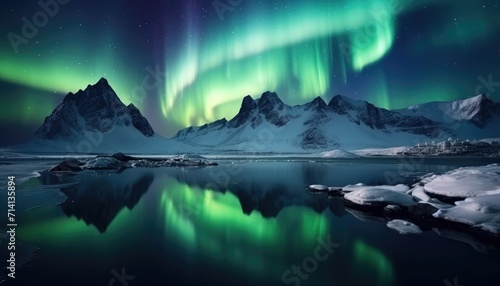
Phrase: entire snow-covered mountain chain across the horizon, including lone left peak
(264, 124)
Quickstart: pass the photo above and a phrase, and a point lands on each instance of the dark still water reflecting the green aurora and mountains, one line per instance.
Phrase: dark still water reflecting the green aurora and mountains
(241, 223)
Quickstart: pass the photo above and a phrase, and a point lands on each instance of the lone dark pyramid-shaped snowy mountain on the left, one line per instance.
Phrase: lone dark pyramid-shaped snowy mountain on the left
(94, 120)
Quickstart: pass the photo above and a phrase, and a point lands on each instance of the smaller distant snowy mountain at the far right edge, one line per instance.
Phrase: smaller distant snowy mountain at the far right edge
(475, 117)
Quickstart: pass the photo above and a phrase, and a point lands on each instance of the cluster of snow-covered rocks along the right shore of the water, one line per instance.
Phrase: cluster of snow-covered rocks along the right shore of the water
(475, 192)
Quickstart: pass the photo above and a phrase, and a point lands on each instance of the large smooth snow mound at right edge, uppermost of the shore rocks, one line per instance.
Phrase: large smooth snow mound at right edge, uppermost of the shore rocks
(466, 182)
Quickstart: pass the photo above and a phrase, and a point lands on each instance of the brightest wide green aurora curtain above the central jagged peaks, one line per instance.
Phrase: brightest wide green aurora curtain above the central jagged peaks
(293, 48)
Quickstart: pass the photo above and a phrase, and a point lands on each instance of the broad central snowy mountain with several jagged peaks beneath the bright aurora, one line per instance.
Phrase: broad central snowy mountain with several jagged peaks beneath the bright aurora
(267, 124)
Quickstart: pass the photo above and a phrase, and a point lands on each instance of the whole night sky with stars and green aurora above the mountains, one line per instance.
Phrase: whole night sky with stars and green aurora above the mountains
(189, 62)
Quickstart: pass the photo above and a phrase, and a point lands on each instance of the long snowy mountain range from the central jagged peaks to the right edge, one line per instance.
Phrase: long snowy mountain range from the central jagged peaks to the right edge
(316, 120)
